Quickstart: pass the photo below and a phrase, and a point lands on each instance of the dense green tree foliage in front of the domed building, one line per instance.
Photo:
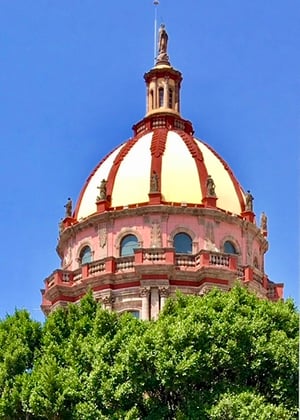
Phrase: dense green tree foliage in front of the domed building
(222, 356)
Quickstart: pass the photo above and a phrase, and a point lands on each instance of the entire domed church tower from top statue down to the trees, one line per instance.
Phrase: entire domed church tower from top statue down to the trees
(162, 212)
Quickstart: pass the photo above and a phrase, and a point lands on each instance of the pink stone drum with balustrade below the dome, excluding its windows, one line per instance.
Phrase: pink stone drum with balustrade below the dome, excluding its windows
(141, 282)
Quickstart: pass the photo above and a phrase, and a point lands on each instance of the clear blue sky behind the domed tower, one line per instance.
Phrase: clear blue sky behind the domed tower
(71, 87)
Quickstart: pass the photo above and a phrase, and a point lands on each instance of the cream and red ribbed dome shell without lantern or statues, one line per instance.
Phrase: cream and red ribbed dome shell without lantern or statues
(172, 158)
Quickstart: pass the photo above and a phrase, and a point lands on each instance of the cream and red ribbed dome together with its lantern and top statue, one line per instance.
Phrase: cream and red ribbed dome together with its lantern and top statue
(163, 163)
